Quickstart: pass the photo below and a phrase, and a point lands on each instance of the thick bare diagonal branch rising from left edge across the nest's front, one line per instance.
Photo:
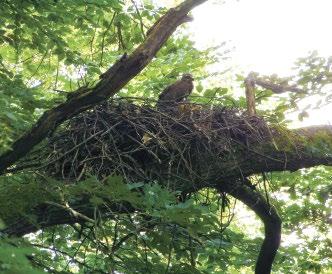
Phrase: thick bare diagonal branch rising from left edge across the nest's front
(115, 79)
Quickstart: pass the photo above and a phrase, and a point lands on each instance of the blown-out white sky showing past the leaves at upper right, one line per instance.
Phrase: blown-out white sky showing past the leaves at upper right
(268, 35)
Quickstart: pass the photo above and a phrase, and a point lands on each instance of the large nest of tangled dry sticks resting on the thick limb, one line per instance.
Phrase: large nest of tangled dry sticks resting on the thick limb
(131, 138)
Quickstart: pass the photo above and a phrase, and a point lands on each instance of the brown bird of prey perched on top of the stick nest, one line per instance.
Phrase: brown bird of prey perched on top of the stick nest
(176, 92)
